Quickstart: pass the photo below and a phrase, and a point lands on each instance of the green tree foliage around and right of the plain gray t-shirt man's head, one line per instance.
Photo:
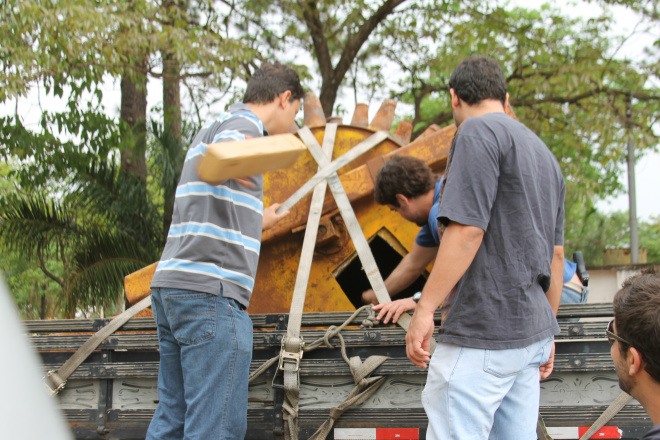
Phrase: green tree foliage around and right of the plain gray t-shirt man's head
(565, 78)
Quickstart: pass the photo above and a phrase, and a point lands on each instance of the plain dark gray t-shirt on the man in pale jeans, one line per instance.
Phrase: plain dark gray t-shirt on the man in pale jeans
(504, 180)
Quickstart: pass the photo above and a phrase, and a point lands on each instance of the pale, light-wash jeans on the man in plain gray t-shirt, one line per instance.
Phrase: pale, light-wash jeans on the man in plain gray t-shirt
(476, 394)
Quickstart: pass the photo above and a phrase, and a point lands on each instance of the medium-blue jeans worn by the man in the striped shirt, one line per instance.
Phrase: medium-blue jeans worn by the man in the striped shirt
(205, 344)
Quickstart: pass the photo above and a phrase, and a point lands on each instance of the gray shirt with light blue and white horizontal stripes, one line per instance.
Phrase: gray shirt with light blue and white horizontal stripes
(215, 236)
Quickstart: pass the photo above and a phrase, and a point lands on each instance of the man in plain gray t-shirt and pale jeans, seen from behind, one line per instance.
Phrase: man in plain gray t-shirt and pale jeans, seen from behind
(498, 271)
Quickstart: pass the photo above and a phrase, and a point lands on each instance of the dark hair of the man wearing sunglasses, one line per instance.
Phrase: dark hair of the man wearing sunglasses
(637, 318)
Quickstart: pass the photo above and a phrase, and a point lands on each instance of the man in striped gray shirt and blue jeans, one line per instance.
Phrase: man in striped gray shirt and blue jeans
(205, 277)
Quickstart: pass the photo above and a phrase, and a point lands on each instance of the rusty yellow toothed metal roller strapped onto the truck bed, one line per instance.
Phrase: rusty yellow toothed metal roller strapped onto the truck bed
(336, 279)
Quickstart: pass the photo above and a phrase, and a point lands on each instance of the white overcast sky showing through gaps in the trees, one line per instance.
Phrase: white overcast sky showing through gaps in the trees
(647, 169)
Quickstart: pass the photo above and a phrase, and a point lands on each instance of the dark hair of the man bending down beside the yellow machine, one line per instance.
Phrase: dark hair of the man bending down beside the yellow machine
(403, 175)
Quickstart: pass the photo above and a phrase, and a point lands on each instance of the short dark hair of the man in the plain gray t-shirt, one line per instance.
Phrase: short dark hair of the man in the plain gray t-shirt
(478, 78)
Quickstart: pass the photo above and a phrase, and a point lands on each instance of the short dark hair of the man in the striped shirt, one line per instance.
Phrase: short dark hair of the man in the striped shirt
(269, 81)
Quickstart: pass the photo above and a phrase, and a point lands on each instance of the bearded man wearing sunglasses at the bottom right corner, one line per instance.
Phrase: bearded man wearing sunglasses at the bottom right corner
(634, 334)
